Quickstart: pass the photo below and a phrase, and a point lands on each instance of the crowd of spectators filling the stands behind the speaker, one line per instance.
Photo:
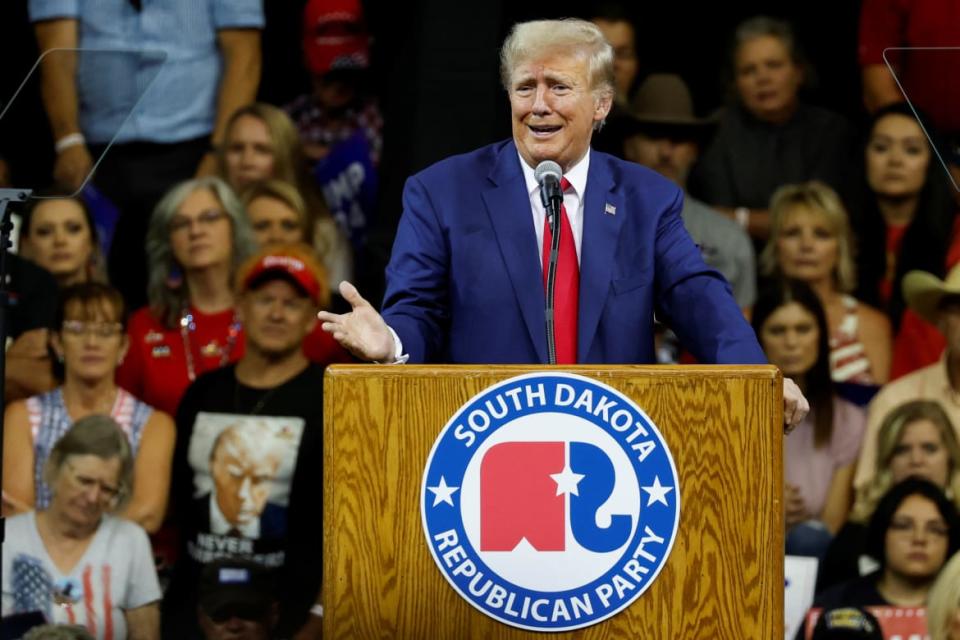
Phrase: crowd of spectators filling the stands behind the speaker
(162, 444)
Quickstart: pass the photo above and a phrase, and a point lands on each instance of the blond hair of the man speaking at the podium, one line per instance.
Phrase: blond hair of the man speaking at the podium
(529, 40)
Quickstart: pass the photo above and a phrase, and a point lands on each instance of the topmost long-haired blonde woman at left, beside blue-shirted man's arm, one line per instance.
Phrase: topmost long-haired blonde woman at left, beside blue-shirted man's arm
(262, 143)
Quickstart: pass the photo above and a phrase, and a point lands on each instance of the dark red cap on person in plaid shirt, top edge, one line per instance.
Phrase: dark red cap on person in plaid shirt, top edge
(334, 36)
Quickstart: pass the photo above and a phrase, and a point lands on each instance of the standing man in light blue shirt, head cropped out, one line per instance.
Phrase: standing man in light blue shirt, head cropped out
(212, 67)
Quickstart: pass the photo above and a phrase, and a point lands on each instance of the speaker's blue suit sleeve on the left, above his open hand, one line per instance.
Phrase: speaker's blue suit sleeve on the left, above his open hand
(416, 303)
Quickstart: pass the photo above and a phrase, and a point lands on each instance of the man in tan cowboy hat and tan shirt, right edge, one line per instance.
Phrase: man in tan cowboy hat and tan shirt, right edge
(938, 302)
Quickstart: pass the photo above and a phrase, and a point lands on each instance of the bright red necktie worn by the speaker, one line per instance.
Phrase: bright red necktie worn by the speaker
(566, 292)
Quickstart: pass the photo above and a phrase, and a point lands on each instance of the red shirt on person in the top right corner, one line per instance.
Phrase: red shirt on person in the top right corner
(929, 78)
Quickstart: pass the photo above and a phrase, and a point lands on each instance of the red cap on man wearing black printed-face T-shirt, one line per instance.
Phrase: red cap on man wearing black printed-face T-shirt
(295, 263)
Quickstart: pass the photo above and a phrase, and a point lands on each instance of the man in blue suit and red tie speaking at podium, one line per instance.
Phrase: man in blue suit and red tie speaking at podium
(465, 280)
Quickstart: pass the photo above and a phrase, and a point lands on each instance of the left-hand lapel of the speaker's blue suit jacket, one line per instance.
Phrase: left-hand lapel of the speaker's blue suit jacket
(505, 196)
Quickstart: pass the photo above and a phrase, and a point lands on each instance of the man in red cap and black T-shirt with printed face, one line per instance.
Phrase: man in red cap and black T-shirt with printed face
(253, 433)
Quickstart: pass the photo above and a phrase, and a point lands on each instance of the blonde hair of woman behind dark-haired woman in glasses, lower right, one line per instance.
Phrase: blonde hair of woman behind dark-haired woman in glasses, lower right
(891, 432)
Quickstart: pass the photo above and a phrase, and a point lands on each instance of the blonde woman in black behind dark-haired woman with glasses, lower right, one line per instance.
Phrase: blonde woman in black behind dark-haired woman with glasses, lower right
(916, 439)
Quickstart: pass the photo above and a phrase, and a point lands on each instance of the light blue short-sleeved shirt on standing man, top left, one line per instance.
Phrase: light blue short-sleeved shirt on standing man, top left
(181, 103)
